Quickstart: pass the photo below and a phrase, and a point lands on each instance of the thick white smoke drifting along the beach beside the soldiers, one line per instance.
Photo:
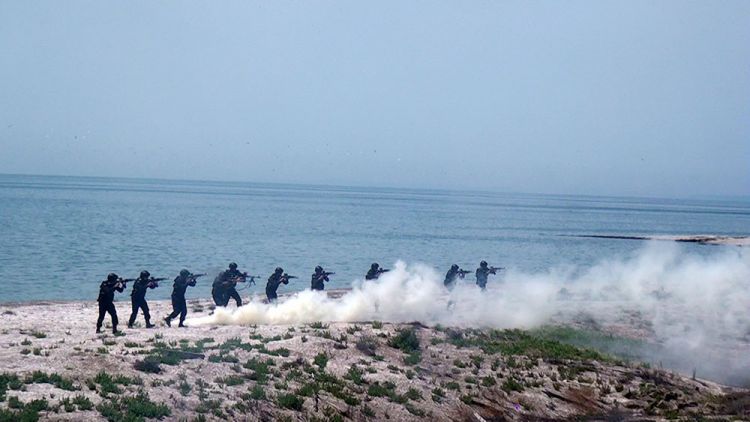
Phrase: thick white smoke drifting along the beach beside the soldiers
(695, 308)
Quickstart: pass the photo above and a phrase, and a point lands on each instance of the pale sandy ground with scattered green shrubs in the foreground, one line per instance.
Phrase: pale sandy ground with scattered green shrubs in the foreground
(337, 371)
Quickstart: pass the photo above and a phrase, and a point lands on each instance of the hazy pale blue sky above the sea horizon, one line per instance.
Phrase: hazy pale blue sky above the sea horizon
(594, 97)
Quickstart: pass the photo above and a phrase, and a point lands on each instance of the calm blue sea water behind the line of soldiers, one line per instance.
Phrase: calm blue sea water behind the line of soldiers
(60, 236)
